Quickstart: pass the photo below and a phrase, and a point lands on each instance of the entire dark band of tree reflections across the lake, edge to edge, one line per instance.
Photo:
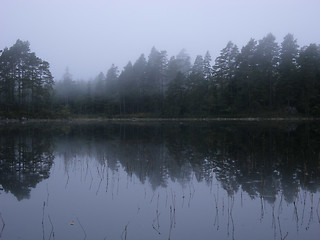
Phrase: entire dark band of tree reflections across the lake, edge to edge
(262, 159)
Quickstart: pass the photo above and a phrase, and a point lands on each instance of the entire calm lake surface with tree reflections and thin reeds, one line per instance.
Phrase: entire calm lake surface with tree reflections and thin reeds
(175, 180)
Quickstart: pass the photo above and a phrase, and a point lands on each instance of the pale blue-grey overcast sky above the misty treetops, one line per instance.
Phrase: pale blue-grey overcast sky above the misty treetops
(87, 36)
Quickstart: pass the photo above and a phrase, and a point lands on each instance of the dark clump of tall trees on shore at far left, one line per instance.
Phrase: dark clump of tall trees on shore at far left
(25, 82)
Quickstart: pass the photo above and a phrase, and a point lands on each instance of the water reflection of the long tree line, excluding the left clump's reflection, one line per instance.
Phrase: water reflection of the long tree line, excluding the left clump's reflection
(262, 159)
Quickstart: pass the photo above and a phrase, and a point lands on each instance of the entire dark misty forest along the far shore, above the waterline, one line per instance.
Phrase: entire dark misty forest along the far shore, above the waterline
(263, 78)
